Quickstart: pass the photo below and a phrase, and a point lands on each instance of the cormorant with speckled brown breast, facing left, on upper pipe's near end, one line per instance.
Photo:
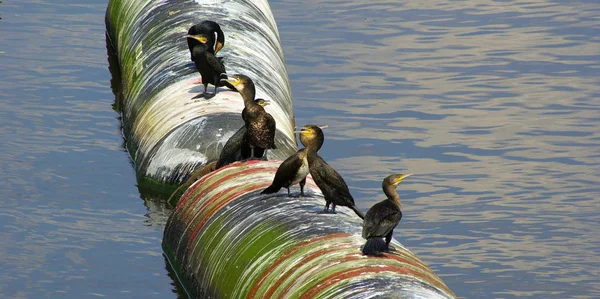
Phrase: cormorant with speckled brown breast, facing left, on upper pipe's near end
(260, 125)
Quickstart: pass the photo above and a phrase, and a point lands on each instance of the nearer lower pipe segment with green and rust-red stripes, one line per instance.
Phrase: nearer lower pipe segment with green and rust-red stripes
(226, 240)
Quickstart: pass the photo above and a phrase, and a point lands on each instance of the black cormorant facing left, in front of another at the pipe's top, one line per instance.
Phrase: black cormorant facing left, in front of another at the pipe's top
(207, 64)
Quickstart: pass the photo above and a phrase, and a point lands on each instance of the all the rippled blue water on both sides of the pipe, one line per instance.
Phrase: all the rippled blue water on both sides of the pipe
(494, 105)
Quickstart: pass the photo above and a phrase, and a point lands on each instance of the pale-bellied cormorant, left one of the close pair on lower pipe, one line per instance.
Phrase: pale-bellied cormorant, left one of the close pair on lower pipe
(295, 168)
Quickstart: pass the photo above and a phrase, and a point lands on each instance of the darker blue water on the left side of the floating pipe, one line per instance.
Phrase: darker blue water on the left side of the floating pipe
(71, 218)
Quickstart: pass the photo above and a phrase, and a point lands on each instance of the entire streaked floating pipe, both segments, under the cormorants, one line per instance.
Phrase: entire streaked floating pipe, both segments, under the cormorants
(224, 240)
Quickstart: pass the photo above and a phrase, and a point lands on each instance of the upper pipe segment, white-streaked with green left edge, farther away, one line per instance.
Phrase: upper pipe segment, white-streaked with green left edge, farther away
(168, 133)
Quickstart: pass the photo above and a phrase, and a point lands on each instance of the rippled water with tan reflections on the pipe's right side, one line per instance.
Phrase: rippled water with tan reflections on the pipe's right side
(494, 105)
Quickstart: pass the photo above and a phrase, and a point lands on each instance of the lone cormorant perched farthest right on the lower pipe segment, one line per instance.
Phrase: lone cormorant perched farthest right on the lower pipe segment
(383, 217)
